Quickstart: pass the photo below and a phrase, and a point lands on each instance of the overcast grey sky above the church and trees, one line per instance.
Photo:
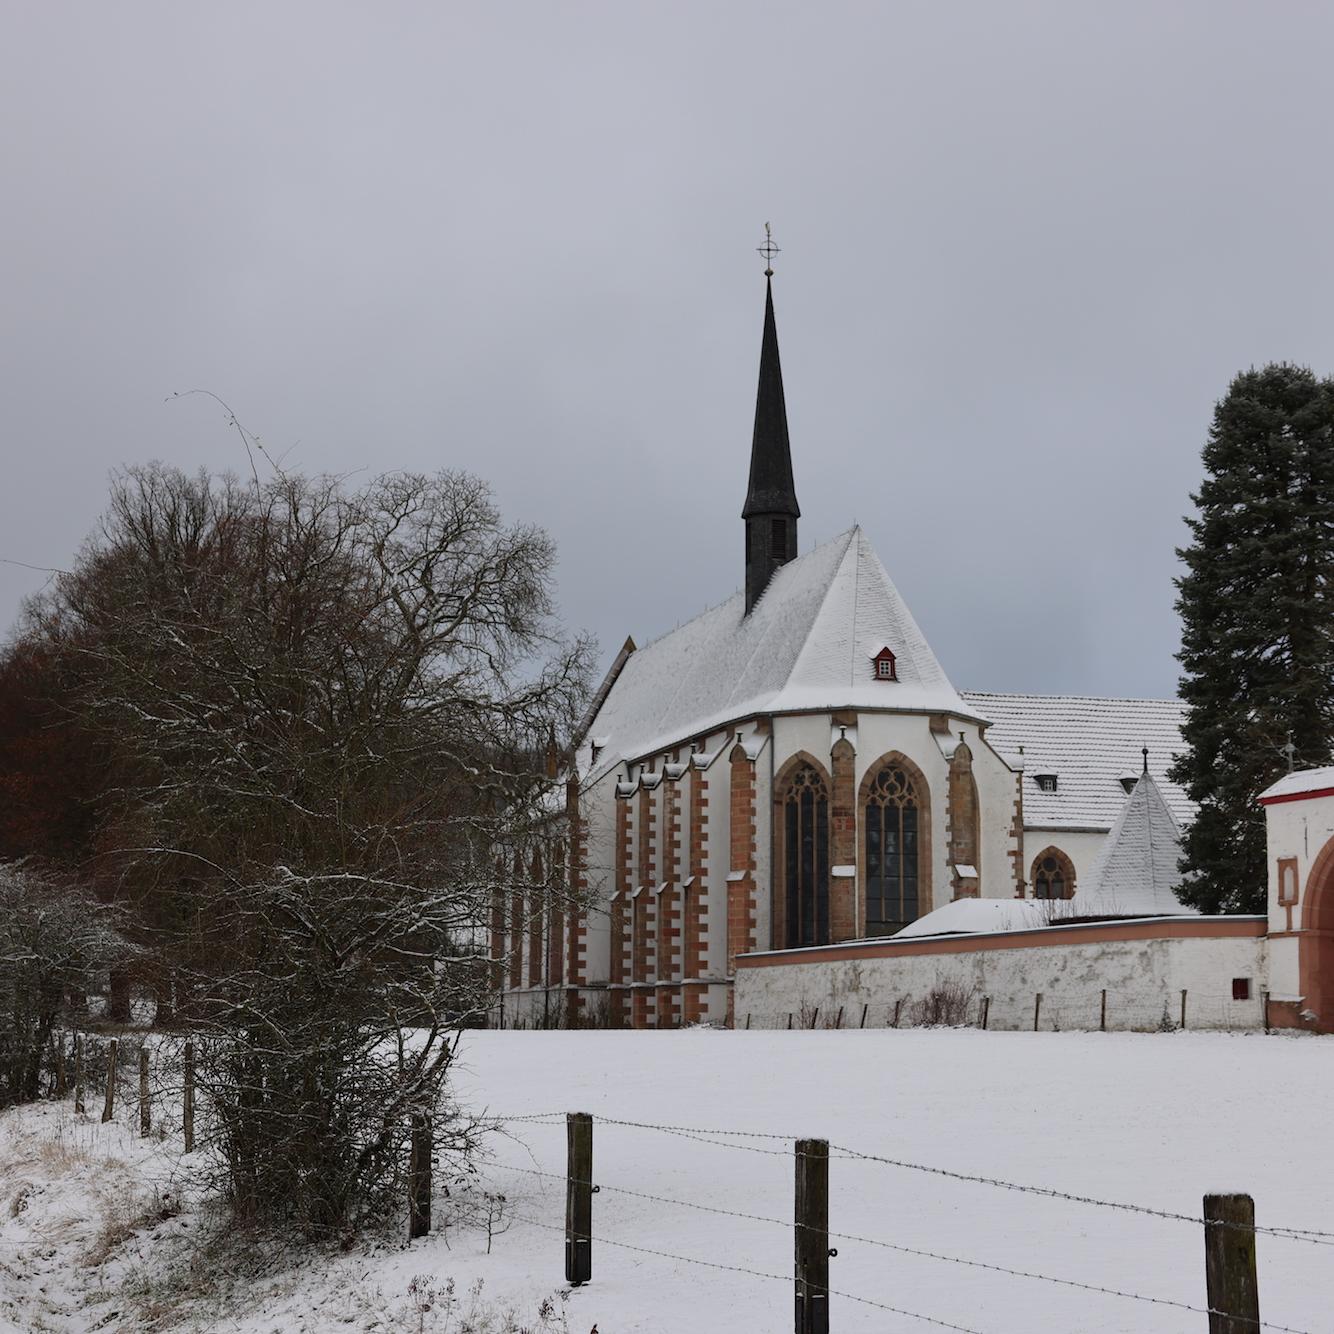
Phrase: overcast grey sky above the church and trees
(1025, 249)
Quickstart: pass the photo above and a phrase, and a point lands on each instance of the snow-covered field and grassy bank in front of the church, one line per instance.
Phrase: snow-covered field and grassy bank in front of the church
(89, 1243)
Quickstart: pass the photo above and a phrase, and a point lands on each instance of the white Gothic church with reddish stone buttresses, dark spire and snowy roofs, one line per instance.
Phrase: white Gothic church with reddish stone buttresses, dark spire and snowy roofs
(794, 770)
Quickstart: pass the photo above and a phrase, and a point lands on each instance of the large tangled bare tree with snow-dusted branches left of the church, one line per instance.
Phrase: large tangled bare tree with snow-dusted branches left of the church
(327, 712)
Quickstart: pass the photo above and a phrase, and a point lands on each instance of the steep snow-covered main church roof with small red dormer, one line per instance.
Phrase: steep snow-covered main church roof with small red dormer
(808, 645)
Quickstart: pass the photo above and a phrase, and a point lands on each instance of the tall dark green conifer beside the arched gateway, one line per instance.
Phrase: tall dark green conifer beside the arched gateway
(1257, 608)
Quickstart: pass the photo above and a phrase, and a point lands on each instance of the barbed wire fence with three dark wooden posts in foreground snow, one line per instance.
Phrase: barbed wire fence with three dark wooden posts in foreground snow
(1228, 1223)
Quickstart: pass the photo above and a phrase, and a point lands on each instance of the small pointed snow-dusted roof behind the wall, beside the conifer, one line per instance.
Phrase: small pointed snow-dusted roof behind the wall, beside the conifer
(1136, 872)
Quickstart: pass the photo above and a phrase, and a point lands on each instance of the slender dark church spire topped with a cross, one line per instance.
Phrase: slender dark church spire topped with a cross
(772, 510)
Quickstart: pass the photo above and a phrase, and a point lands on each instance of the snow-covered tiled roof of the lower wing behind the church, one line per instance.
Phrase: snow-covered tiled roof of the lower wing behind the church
(1089, 745)
